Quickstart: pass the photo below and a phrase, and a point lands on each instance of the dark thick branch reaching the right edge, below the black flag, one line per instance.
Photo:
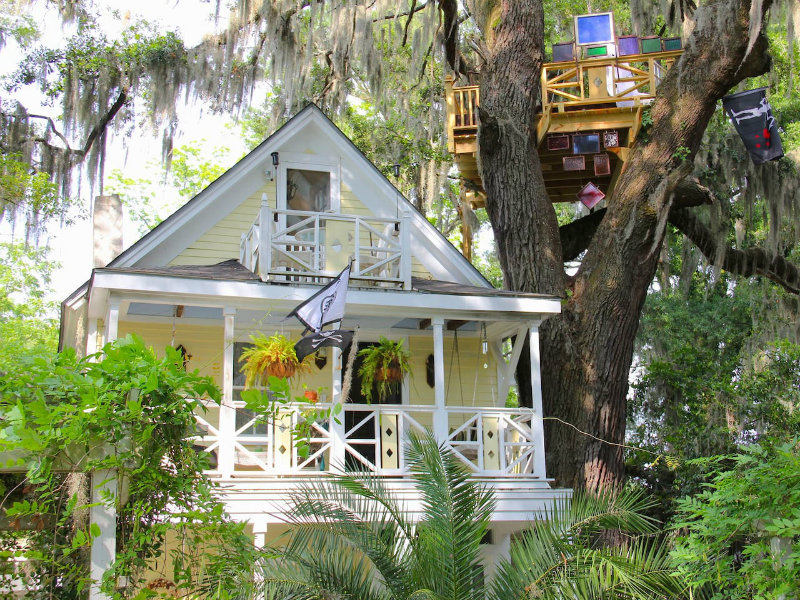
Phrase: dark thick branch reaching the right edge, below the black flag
(744, 263)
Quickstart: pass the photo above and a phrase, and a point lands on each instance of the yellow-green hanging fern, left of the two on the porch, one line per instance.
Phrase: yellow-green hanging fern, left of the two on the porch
(272, 356)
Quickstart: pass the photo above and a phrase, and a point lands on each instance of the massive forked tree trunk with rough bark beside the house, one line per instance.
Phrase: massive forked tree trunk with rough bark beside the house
(587, 350)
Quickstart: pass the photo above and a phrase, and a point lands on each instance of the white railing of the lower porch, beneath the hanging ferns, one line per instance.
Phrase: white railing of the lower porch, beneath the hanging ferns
(492, 442)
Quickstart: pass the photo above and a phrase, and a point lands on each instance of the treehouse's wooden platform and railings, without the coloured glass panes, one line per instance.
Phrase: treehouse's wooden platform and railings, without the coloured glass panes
(595, 95)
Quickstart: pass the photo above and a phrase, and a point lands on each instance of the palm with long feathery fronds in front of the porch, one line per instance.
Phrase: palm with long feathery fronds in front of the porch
(354, 538)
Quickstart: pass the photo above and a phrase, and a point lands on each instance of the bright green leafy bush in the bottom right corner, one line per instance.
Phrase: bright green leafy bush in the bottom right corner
(740, 537)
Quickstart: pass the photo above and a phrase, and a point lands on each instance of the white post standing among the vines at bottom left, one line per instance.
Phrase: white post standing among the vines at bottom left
(104, 547)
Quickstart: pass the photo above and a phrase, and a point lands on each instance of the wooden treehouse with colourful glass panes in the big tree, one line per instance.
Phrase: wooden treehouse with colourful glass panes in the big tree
(594, 94)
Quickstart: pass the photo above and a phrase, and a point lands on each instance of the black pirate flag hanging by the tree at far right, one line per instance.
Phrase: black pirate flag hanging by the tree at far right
(752, 116)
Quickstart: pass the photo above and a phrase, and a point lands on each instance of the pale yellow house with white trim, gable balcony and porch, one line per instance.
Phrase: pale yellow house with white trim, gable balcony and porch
(265, 236)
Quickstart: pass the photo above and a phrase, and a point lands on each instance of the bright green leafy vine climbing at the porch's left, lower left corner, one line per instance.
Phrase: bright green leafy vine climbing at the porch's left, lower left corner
(130, 412)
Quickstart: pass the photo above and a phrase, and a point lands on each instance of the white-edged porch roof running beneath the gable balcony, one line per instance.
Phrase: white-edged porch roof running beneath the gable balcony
(229, 284)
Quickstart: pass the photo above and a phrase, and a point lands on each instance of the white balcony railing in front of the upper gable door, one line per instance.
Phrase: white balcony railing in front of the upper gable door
(300, 246)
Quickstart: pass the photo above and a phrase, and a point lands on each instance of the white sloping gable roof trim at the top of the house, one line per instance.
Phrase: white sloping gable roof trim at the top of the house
(212, 204)
